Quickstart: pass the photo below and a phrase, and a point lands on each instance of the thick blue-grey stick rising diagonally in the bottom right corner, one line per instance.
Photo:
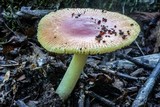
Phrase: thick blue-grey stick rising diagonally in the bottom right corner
(147, 88)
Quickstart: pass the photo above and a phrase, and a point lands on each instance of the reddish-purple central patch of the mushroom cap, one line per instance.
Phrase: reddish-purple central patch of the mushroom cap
(82, 26)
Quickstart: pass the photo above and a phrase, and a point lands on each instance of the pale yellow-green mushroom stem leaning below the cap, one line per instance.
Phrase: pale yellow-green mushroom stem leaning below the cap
(71, 76)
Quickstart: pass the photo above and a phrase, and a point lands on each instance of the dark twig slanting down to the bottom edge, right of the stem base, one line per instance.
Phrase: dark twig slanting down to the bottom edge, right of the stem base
(102, 99)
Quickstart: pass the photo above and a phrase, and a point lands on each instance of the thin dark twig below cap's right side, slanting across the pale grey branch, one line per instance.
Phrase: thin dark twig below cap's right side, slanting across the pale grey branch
(138, 63)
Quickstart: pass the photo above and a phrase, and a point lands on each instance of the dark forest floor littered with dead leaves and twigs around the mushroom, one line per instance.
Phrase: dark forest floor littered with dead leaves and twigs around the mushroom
(29, 74)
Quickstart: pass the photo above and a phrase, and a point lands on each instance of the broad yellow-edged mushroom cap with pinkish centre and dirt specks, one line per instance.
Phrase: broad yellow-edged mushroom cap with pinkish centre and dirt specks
(86, 31)
